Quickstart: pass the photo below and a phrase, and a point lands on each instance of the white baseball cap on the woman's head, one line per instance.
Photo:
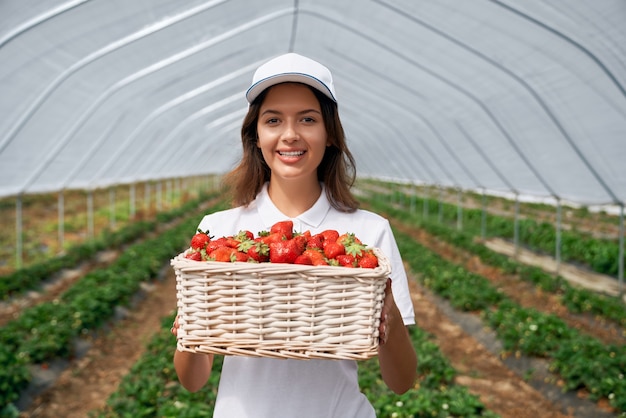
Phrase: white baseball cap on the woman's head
(291, 68)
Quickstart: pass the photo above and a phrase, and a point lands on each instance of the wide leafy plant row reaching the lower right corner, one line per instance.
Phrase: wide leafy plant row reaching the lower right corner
(580, 360)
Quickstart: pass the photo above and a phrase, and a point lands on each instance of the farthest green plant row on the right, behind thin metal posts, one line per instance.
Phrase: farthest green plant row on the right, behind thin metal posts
(600, 255)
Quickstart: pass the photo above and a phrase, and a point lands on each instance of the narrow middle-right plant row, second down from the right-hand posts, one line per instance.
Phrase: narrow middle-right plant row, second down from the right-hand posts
(577, 300)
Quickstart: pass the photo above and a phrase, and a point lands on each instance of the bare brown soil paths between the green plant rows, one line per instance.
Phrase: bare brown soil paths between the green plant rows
(500, 382)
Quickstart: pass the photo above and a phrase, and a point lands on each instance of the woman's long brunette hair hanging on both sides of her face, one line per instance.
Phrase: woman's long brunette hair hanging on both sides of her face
(337, 170)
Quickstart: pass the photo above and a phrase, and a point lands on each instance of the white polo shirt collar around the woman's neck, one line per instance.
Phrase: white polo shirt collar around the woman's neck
(312, 218)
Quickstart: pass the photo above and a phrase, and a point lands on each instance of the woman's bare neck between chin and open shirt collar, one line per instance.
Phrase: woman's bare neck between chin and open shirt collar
(295, 197)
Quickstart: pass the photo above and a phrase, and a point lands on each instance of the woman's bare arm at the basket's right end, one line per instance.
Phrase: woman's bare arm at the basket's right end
(396, 356)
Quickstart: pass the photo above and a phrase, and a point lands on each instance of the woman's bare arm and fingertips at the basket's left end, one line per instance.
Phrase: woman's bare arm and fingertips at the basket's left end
(193, 369)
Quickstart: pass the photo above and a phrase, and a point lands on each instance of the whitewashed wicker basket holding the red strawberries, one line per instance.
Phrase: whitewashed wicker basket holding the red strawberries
(279, 310)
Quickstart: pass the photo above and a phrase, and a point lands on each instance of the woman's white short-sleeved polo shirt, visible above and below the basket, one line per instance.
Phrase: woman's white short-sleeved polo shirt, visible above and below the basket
(253, 387)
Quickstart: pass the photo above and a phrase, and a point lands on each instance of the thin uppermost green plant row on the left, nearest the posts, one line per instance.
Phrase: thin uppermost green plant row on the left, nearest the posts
(28, 278)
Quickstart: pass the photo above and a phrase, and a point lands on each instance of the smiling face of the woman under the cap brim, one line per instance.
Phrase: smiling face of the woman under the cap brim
(291, 132)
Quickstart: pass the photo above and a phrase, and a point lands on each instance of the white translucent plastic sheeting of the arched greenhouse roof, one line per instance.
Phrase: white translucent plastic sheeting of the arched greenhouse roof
(519, 96)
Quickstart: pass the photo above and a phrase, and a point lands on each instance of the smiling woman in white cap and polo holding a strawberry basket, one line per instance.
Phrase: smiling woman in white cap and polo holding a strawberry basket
(296, 165)
